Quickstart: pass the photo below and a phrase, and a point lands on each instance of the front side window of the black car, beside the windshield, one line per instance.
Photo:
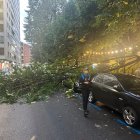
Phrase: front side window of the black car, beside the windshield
(110, 80)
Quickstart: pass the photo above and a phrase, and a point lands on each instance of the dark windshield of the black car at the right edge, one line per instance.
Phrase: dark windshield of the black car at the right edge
(130, 82)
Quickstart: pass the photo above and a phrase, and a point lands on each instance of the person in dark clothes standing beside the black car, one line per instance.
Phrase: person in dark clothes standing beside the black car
(85, 88)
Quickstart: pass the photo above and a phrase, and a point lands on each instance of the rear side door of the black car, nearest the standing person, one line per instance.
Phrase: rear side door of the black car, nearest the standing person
(98, 87)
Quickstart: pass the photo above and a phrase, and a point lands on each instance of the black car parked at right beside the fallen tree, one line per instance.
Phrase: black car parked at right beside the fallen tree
(120, 92)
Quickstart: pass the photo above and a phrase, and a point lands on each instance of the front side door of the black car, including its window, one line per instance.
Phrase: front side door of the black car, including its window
(113, 91)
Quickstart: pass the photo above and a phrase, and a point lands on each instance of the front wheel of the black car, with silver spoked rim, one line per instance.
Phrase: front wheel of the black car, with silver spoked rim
(130, 116)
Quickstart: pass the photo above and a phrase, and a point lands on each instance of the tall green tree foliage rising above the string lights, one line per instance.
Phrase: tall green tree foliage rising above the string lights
(59, 28)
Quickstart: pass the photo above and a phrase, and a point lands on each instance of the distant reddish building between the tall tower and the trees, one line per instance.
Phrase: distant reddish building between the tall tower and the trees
(26, 54)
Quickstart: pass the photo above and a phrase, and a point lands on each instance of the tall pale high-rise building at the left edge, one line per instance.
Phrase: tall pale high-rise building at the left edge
(10, 31)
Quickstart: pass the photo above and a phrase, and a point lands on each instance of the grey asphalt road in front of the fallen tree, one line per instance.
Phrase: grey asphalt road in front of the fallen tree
(60, 119)
